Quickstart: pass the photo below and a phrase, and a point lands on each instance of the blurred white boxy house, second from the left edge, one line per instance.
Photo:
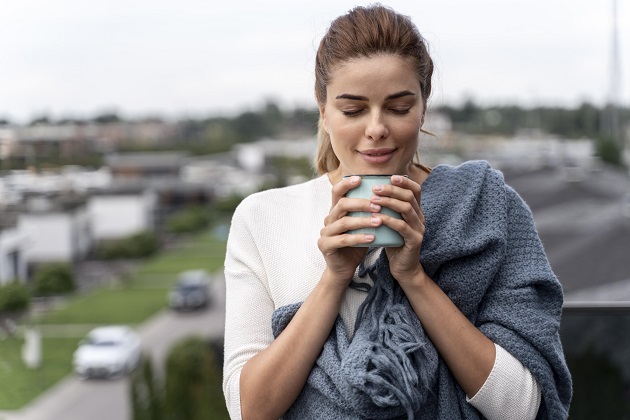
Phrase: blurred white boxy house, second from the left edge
(56, 228)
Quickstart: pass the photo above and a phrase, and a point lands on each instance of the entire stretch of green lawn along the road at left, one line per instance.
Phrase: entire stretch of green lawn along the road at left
(142, 295)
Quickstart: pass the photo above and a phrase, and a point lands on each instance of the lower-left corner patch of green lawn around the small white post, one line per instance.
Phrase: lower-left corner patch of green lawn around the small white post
(19, 384)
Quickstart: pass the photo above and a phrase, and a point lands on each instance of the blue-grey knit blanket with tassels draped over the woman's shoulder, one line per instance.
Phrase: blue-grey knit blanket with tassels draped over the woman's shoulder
(481, 247)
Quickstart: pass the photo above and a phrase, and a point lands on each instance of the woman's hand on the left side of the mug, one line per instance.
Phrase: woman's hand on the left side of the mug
(335, 243)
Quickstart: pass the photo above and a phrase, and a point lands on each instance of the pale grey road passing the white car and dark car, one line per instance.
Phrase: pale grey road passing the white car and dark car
(73, 399)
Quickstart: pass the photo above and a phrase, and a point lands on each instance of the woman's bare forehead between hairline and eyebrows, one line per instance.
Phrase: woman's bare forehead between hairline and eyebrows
(384, 72)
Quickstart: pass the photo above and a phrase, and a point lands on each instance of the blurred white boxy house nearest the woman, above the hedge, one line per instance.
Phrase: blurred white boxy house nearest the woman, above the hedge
(121, 211)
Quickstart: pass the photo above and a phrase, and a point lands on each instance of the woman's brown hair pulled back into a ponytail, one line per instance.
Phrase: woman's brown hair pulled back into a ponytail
(363, 32)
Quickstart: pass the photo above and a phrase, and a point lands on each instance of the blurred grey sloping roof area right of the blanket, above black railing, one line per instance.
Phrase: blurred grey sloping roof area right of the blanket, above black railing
(582, 224)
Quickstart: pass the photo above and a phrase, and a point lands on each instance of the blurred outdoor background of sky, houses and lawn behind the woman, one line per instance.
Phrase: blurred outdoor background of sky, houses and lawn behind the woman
(129, 131)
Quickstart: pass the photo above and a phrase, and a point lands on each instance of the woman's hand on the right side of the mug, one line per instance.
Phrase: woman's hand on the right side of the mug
(404, 197)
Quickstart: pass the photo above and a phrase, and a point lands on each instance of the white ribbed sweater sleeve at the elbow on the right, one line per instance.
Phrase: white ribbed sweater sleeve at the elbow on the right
(510, 391)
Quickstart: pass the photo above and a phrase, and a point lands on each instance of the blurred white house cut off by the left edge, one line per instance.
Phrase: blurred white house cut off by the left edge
(12, 243)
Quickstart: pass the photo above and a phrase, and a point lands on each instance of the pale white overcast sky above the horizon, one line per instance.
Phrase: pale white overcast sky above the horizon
(77, 58)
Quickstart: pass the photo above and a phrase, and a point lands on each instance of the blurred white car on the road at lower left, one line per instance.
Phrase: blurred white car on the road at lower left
(107, 352)
